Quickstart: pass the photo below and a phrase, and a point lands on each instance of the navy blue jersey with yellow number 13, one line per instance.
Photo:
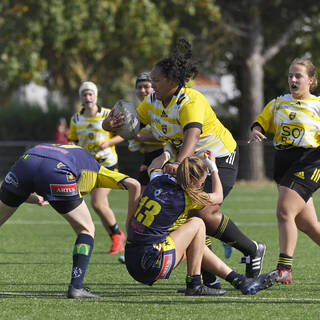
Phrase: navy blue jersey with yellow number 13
(162, 203)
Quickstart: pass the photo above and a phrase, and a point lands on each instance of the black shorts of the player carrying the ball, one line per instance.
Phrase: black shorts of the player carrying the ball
(228, 172)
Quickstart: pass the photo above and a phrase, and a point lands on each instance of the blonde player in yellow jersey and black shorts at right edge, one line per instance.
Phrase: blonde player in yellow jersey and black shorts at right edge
(294, 119)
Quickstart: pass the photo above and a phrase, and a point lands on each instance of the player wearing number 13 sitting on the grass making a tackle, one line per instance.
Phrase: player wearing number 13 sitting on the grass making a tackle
(152, 251)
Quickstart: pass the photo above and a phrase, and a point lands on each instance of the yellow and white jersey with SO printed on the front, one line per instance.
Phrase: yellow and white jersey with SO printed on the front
(294, 123)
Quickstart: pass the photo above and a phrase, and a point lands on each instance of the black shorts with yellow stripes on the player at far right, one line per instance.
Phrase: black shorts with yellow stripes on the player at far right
(298, 169)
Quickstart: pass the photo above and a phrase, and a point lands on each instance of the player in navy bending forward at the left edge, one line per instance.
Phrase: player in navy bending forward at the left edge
(61, 174)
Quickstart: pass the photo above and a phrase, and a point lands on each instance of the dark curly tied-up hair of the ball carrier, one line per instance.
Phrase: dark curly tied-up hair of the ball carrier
(178, 66)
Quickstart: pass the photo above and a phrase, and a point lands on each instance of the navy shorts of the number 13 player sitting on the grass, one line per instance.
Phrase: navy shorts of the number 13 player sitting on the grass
(148, 263)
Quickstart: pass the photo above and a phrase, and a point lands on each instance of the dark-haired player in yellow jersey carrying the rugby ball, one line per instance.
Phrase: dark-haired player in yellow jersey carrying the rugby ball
(183, 118)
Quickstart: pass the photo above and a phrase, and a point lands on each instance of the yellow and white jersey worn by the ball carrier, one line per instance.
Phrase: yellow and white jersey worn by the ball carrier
(188, 108)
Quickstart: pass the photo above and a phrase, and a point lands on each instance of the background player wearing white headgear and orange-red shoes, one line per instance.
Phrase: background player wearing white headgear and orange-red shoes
(86, 131)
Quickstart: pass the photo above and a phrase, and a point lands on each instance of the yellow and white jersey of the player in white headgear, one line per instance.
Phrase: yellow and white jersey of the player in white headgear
(88, 133)
